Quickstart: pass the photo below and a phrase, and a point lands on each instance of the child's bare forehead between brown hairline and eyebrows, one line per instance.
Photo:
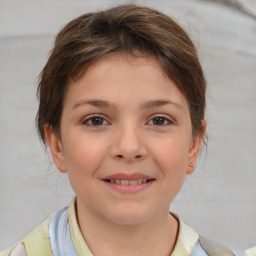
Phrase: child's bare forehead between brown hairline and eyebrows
(121, 77)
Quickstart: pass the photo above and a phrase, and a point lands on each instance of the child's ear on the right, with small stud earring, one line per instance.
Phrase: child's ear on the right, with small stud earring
(195, 149)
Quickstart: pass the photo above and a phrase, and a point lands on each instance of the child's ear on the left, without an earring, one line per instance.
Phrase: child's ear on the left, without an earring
(56, 148)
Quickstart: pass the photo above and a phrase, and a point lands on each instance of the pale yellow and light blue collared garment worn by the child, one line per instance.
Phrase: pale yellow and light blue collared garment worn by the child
(60, 236)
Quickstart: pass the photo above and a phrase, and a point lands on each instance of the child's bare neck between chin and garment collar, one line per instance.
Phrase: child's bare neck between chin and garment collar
(154, 237)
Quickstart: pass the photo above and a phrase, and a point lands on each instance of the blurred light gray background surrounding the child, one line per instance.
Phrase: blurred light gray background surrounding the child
(218, 200)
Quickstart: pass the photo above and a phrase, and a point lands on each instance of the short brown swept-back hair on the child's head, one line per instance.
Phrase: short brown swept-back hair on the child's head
(128, 29)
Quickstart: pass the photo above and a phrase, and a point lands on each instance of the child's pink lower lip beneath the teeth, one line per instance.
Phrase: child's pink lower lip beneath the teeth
(129, 189)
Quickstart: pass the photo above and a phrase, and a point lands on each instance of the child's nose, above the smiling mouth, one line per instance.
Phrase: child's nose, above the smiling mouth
(128, 144)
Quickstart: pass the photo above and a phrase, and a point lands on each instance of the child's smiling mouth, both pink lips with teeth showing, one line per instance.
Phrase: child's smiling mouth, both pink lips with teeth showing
(128, 183)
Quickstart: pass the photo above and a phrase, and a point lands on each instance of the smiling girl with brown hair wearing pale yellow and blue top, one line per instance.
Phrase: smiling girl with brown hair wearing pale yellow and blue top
(122, 102)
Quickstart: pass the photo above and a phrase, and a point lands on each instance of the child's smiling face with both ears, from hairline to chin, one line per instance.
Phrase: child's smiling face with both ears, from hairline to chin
(125, 122)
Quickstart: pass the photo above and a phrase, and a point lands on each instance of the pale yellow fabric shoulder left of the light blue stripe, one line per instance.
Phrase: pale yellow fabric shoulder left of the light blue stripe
(37, 242)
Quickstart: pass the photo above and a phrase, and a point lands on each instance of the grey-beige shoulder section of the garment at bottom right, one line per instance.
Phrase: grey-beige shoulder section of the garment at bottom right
(214, 249)
